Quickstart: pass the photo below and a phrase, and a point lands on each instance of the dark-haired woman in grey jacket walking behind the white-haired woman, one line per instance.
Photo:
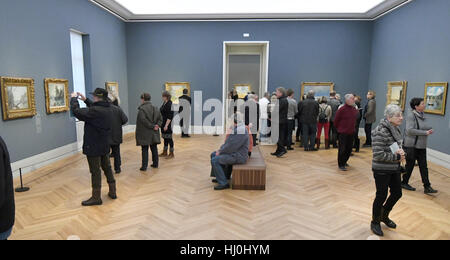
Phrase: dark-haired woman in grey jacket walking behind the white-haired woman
(416, 135)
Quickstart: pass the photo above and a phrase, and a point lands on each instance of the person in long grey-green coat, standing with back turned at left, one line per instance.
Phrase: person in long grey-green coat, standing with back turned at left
(148, 123)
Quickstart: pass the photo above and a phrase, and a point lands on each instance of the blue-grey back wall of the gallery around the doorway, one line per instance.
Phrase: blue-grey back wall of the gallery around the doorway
(337, 51)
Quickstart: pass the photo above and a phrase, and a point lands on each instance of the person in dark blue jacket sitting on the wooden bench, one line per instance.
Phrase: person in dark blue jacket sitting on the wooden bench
(233, 151)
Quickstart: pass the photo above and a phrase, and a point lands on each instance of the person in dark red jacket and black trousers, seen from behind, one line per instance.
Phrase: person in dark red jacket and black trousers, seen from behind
(345, 122)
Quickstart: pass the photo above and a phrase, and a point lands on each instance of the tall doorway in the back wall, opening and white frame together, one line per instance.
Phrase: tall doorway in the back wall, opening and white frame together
(244, 63)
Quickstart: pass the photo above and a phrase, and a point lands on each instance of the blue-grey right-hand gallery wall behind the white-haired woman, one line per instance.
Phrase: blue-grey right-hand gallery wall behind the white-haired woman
(413, 44)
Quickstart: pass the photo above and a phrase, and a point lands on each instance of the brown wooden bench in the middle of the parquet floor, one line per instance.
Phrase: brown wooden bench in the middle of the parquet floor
(252, 175)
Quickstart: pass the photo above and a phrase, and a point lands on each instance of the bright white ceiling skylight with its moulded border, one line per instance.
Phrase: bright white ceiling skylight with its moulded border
(148, 10)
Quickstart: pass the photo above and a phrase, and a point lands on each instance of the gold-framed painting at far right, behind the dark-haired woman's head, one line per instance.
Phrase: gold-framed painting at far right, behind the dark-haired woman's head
(435, 97)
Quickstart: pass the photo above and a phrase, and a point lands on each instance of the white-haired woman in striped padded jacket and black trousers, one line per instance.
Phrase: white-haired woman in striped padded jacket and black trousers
(387, 156)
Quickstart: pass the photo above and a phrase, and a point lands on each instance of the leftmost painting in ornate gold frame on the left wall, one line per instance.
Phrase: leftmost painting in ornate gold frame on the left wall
(18, 99)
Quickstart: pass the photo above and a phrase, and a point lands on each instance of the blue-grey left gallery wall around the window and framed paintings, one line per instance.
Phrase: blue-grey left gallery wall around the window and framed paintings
(35, 43)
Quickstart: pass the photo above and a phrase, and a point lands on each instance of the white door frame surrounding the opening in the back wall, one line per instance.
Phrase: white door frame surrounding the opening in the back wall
(264, 82)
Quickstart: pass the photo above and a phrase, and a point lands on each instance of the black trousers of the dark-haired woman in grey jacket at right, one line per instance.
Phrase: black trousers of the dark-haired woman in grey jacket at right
(419, 155)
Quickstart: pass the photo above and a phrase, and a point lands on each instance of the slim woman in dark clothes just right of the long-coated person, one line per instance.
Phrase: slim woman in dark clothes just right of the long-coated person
(166, 131)
